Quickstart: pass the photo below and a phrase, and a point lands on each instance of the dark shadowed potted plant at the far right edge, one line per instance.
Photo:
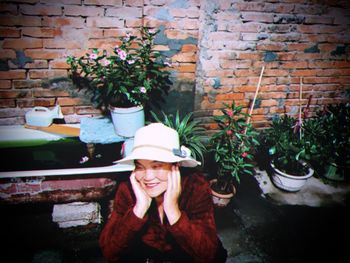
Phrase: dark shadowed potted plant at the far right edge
(333, 136)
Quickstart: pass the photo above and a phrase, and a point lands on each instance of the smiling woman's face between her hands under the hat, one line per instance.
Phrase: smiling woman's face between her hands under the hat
(152, 176)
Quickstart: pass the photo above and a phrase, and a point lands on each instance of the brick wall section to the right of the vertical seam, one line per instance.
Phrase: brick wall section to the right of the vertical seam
(293, 38)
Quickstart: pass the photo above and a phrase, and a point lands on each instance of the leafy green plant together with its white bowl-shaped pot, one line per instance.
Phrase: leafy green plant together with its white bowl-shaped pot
(289, 153)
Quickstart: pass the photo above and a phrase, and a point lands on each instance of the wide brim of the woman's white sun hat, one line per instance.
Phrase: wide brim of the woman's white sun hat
(158, 155)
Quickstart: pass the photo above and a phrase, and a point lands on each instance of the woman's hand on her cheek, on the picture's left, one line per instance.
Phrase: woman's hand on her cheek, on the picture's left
(143, 200)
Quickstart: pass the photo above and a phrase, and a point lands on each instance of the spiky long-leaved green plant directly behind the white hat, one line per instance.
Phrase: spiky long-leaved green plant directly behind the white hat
(190, 133)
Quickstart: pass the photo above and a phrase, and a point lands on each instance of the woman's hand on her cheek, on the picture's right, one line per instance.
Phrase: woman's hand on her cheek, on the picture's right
(172, 194)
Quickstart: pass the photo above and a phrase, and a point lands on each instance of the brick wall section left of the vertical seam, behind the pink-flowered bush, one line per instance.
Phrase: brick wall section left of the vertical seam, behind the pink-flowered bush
(37, 35)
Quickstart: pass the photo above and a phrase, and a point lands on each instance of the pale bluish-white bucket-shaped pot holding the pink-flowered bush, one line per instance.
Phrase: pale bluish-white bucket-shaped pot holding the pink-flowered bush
(127, 121)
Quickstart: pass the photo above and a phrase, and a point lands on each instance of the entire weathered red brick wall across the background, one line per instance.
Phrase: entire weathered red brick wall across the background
(217, 48)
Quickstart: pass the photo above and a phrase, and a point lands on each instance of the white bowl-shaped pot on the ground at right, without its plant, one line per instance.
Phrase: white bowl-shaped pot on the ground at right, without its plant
(291, 183)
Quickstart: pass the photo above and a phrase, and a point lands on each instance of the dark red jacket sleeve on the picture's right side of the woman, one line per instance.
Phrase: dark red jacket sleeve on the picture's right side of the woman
(195, 230)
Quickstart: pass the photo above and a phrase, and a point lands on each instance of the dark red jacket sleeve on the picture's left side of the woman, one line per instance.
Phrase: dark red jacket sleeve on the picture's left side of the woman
(122, 226)
